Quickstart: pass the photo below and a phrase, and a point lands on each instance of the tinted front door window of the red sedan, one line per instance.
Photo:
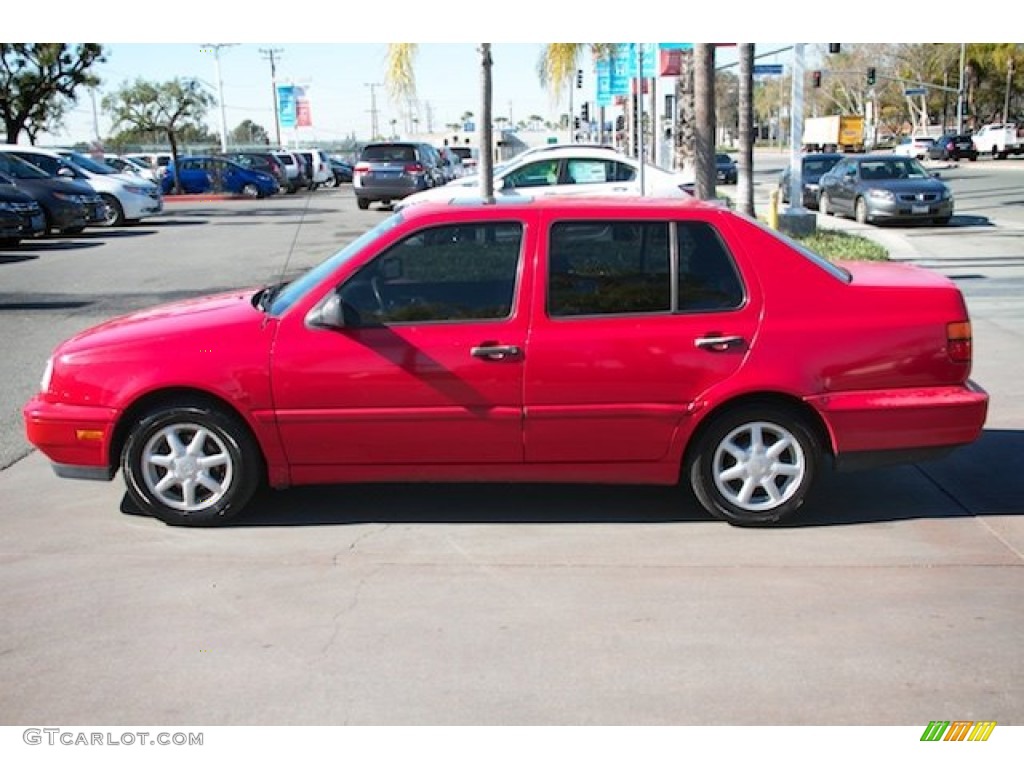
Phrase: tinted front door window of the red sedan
(459, 273)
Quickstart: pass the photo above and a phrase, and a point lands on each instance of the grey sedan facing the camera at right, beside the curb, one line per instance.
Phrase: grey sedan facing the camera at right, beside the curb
(882, 188)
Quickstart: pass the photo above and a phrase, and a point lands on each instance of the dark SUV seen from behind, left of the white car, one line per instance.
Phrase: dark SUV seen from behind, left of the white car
(393, 170)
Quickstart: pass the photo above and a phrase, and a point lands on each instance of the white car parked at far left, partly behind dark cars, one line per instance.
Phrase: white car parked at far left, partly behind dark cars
(126, 199)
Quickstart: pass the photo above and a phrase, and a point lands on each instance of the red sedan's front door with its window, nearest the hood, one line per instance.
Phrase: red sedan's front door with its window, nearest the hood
(428, 369)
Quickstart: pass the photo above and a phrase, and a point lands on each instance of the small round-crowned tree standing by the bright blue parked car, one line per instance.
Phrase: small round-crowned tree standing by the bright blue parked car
(172, 108)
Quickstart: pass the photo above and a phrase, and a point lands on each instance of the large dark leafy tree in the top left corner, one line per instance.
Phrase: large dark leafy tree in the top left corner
(38, 82)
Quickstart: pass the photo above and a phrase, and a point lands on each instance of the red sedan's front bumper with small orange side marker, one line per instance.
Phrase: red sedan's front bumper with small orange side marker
(76, 439)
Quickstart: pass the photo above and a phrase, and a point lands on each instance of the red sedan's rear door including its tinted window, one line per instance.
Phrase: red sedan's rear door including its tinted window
(641, 319)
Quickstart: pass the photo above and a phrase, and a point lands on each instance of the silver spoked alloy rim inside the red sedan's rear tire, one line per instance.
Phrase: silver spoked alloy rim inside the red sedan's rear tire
(759, 466)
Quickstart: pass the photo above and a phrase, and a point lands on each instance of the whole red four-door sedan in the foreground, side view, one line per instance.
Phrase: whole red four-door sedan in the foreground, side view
(619, 342)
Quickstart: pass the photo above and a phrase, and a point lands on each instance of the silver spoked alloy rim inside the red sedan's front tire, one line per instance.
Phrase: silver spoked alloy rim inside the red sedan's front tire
(187, 467)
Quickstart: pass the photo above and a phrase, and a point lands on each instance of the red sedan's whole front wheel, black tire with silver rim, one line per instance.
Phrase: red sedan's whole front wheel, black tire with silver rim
(162, 464)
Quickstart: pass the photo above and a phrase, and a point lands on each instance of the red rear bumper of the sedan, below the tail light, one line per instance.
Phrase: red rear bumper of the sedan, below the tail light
(926, 419)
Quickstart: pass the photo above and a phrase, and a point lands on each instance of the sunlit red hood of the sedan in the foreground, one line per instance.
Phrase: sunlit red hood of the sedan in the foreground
(204, 316)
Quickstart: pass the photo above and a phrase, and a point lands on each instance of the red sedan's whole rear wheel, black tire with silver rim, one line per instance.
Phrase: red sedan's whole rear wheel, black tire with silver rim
(780, 465)
